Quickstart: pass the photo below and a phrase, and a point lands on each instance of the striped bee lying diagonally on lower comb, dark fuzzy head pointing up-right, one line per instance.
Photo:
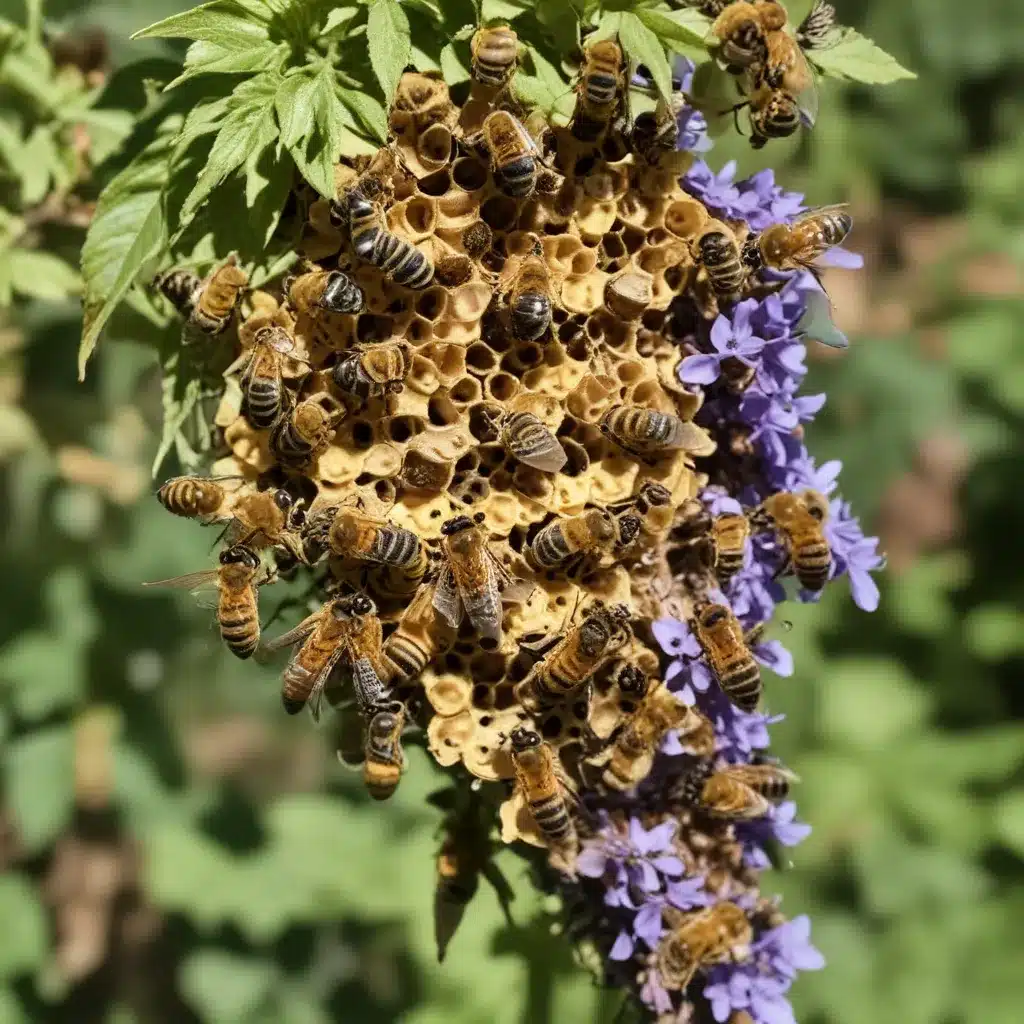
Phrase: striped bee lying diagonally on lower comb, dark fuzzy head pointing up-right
(577, 657)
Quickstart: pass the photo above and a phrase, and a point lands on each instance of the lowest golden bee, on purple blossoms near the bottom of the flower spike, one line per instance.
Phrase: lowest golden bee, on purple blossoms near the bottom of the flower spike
(714, 935)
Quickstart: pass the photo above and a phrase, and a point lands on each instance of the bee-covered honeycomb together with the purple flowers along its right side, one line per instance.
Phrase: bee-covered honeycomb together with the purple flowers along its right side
(526, 412)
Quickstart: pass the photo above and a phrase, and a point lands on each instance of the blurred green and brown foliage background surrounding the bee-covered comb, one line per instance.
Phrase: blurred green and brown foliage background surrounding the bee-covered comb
(173, 849)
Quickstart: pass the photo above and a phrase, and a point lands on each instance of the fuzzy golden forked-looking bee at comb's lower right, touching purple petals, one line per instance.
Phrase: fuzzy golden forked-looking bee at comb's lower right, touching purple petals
(633, 747)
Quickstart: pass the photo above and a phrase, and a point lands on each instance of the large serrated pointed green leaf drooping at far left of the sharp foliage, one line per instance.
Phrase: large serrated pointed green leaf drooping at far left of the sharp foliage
(129, 230)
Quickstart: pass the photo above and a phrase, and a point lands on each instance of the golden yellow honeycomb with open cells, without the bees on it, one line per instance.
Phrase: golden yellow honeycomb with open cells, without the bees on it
(617, 238)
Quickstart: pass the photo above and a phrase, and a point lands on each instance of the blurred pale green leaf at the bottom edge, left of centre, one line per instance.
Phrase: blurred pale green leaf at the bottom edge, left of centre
(225, 988)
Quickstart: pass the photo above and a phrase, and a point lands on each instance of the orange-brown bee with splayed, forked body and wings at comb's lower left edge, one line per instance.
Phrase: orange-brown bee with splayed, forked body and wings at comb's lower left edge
(347, 630)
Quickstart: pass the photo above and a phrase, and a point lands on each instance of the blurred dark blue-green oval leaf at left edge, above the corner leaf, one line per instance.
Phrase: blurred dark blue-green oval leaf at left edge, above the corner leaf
(40, 774)
